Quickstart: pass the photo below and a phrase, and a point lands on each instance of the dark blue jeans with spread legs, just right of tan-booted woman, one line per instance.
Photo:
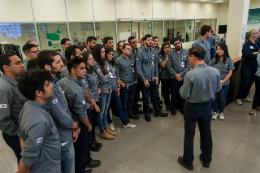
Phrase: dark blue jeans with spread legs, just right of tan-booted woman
(115, 99)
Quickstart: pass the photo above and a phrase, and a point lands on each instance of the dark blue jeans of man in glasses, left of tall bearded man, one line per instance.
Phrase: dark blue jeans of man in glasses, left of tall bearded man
(127, 96)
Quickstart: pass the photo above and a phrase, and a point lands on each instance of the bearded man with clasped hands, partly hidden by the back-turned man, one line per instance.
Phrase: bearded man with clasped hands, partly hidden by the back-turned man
(178, 65)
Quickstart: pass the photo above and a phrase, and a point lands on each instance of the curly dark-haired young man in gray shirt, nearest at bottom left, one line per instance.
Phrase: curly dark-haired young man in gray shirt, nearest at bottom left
(40, 140)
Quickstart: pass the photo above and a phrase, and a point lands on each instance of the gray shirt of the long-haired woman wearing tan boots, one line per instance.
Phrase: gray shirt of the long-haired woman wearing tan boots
(104, 82)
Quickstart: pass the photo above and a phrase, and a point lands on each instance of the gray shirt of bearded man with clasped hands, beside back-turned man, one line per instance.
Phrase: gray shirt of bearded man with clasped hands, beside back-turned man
(178, 63)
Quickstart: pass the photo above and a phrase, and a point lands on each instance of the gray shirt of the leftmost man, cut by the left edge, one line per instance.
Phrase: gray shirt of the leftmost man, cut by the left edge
(11, 103)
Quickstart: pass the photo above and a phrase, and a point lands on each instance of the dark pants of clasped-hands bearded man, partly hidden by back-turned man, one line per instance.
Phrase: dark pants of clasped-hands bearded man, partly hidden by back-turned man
(176, 100)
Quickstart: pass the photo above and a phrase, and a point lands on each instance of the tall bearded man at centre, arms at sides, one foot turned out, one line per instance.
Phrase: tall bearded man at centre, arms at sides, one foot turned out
(147, 70)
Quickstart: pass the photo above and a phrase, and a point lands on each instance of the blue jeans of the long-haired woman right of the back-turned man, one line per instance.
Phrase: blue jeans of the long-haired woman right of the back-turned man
(220, 99)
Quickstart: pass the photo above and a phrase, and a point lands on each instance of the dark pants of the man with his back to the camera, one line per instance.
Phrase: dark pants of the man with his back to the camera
(201, 113)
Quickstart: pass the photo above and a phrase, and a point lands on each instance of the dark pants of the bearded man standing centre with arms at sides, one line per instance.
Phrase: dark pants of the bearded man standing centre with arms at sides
(146, 95)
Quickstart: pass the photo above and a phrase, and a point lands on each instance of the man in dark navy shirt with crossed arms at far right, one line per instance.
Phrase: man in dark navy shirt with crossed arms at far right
(249, 65)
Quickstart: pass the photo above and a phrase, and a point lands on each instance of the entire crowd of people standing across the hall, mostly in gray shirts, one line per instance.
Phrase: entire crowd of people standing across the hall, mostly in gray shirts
(52, 102)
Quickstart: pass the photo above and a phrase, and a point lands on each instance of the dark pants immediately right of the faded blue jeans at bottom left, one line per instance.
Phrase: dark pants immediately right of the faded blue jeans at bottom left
(81, 146)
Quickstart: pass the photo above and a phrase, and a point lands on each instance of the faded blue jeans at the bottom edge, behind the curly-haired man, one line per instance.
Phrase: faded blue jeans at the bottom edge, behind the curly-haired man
(68, 158)
